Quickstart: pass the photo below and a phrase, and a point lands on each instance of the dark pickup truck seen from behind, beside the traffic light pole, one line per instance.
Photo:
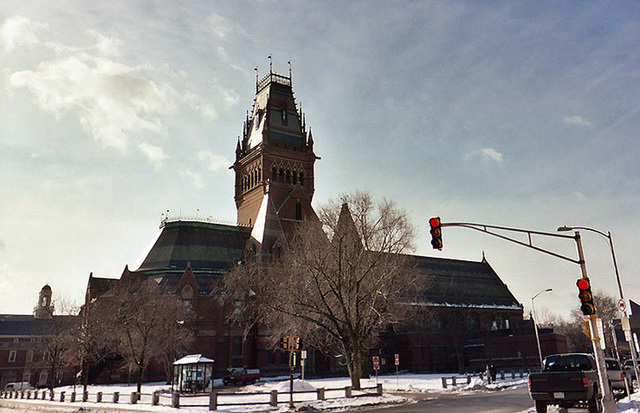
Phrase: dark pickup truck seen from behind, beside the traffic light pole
(566, 380)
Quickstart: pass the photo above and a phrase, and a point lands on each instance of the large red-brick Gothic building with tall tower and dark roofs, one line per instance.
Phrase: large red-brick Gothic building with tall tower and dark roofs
(274, 187)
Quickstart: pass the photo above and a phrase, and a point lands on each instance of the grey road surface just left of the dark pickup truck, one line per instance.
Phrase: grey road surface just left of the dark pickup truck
(504, 401)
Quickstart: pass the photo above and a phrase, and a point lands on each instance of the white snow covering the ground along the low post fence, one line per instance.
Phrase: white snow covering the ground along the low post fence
(402, 385)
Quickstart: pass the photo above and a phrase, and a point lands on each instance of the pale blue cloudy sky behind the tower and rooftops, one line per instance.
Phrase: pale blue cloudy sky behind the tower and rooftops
(510, 113)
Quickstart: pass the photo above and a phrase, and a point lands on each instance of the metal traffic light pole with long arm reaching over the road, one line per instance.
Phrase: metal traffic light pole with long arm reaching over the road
(608, 404)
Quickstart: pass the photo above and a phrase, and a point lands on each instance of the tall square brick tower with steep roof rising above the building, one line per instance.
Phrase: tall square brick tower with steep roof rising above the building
(275, 157)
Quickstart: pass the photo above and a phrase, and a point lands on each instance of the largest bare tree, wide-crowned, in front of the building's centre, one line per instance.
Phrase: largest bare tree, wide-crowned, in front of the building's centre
(340, 281)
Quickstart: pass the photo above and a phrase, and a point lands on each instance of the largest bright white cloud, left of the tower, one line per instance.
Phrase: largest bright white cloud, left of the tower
(108, 98)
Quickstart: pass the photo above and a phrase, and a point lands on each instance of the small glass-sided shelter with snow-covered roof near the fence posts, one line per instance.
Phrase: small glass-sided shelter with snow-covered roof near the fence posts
(192, 374)
